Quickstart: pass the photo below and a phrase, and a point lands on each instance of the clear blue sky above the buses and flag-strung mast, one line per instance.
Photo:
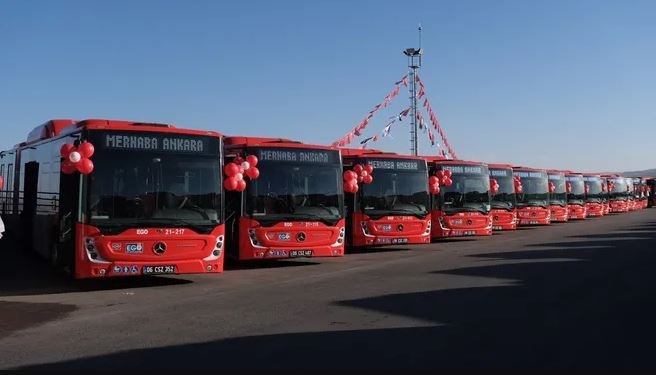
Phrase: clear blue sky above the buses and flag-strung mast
(562, 84)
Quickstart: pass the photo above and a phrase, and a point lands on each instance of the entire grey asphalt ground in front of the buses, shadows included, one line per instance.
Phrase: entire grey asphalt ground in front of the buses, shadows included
(579, 295)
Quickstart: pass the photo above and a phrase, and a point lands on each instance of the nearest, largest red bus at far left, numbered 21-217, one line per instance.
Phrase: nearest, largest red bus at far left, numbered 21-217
(149, 202)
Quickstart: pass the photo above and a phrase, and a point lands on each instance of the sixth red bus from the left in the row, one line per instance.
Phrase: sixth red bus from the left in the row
(533, 202)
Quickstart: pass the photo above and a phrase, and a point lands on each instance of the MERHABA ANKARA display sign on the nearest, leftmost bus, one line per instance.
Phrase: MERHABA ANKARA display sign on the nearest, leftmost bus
(158, 142)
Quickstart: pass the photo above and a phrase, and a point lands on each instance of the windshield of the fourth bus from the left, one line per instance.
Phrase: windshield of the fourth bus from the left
(469, 192)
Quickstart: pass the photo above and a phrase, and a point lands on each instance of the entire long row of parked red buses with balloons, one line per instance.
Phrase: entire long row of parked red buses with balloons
(106, 198)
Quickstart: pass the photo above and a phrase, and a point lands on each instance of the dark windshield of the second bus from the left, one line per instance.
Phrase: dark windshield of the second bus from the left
(294, 190)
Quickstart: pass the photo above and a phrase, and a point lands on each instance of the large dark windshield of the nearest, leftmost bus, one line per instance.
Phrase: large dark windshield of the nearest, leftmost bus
(155, 187)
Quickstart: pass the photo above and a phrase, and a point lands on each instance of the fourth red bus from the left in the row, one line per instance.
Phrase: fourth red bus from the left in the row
(461, 208)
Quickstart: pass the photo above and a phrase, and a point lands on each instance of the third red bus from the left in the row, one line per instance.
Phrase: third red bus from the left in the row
(394, 208)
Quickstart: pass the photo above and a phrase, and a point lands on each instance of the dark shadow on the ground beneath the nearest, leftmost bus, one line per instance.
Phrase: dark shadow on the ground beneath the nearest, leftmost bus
(25, 273)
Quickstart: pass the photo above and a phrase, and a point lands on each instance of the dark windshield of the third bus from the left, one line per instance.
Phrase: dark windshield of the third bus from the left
(400, 187)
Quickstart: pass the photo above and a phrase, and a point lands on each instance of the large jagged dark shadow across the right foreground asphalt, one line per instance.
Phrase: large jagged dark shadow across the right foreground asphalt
(573, 305)
